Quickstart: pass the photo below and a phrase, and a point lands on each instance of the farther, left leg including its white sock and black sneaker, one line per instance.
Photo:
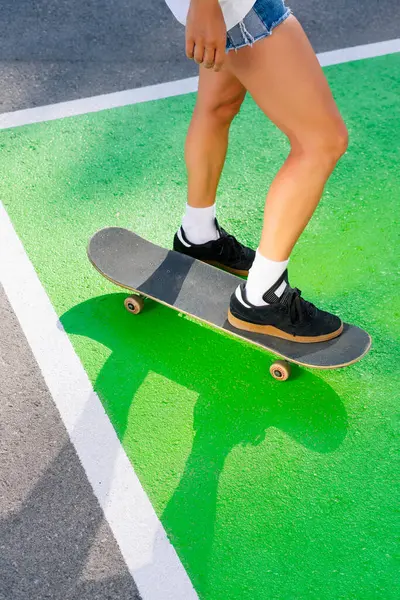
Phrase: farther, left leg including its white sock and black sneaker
(218, 101)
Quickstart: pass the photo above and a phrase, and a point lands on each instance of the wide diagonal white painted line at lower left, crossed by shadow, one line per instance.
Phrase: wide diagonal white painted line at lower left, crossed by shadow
(151, 559)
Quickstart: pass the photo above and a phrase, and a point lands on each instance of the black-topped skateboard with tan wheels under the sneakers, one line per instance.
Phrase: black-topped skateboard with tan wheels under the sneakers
(202, 291)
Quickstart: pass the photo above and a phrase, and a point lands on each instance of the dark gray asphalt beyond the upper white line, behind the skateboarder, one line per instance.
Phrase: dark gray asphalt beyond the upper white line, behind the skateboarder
(56, 50)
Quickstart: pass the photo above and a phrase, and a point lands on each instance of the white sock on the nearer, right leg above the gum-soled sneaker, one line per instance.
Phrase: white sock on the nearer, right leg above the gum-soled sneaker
(262, 276)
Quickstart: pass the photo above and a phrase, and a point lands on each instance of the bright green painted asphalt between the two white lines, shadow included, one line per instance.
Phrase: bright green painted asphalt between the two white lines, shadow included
(267, 490)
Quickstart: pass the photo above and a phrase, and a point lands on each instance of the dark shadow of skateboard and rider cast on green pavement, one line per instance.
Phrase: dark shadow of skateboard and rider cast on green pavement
(237, 404)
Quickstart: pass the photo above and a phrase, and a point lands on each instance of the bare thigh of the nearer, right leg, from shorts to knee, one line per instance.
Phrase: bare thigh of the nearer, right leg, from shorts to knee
(283, 75)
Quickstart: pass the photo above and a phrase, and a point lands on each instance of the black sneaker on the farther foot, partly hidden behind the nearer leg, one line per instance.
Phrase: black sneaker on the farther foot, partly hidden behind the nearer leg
(226, 252)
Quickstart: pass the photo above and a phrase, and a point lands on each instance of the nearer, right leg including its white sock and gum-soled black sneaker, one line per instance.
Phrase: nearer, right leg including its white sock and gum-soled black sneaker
(282, 74)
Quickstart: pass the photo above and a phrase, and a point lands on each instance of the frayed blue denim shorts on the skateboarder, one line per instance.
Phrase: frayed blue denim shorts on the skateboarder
(257, 24)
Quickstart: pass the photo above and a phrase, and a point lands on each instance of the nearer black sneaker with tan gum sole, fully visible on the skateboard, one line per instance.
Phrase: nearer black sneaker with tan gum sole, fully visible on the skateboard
(287, 315)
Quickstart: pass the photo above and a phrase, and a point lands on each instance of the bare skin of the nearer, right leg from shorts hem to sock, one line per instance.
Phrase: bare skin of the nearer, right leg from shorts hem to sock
(283, 75)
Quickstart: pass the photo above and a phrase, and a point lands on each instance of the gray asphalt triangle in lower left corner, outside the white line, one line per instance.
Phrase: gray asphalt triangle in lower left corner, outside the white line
(54, 541)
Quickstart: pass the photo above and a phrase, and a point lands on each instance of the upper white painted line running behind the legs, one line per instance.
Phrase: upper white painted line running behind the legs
(168, 89)
